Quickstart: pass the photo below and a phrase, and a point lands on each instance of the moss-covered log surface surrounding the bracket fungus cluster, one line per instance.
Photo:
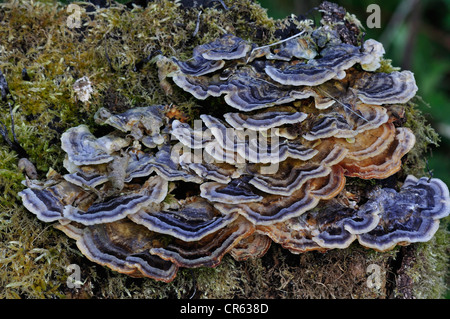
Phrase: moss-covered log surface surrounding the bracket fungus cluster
(42, 55)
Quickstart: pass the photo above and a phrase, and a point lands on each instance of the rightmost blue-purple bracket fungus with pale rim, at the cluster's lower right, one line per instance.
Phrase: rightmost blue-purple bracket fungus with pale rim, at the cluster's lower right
(409, 215)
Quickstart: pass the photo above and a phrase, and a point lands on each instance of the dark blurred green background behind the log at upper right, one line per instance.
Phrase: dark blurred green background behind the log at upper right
(416, 36)
